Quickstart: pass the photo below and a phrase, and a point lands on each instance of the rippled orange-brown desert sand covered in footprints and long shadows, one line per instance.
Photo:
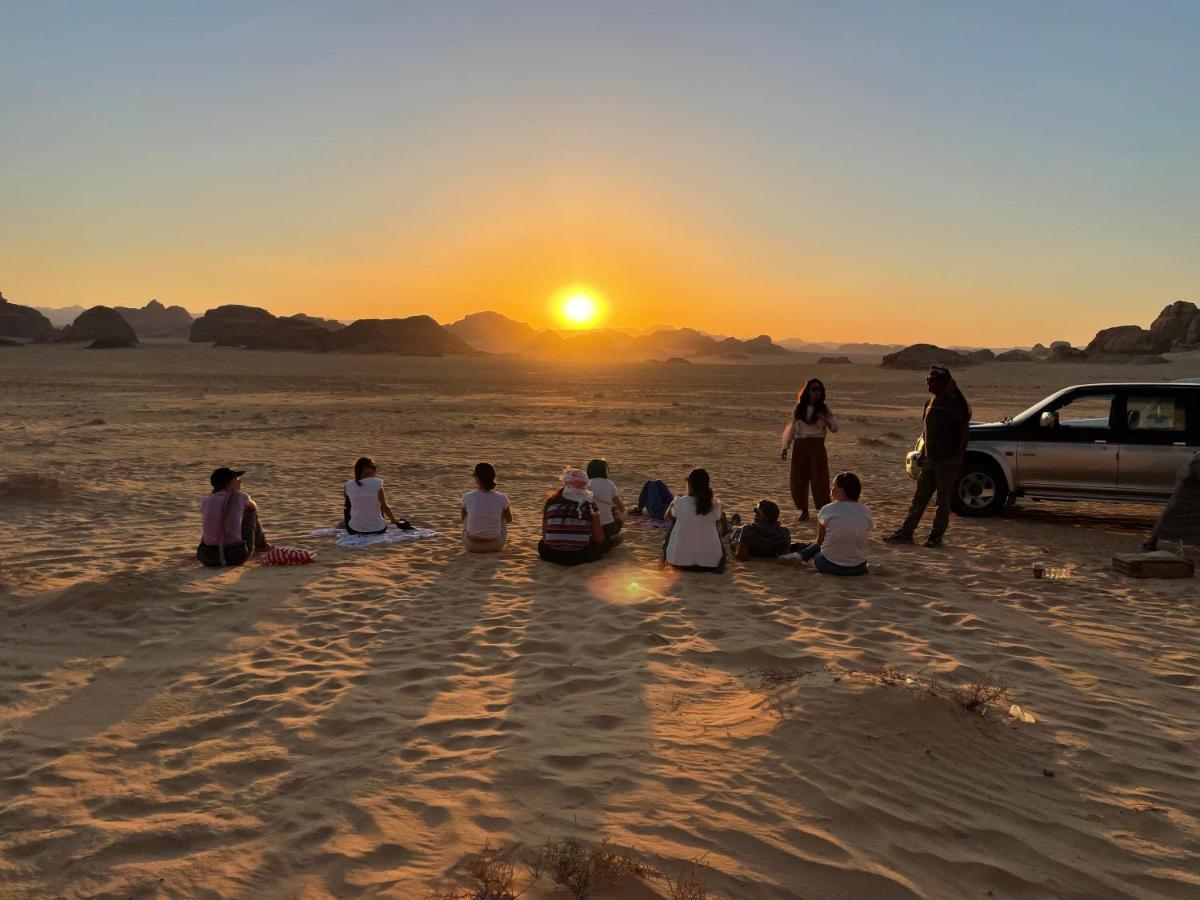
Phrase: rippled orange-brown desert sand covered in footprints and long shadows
(363, 727)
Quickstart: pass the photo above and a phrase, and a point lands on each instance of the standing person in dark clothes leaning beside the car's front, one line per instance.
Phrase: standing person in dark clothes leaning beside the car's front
(947, 419)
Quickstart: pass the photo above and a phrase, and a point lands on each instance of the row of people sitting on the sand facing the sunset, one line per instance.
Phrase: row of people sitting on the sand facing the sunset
(583, 520)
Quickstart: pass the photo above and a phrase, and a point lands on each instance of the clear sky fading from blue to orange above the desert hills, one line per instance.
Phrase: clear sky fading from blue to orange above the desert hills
(974, 173)
